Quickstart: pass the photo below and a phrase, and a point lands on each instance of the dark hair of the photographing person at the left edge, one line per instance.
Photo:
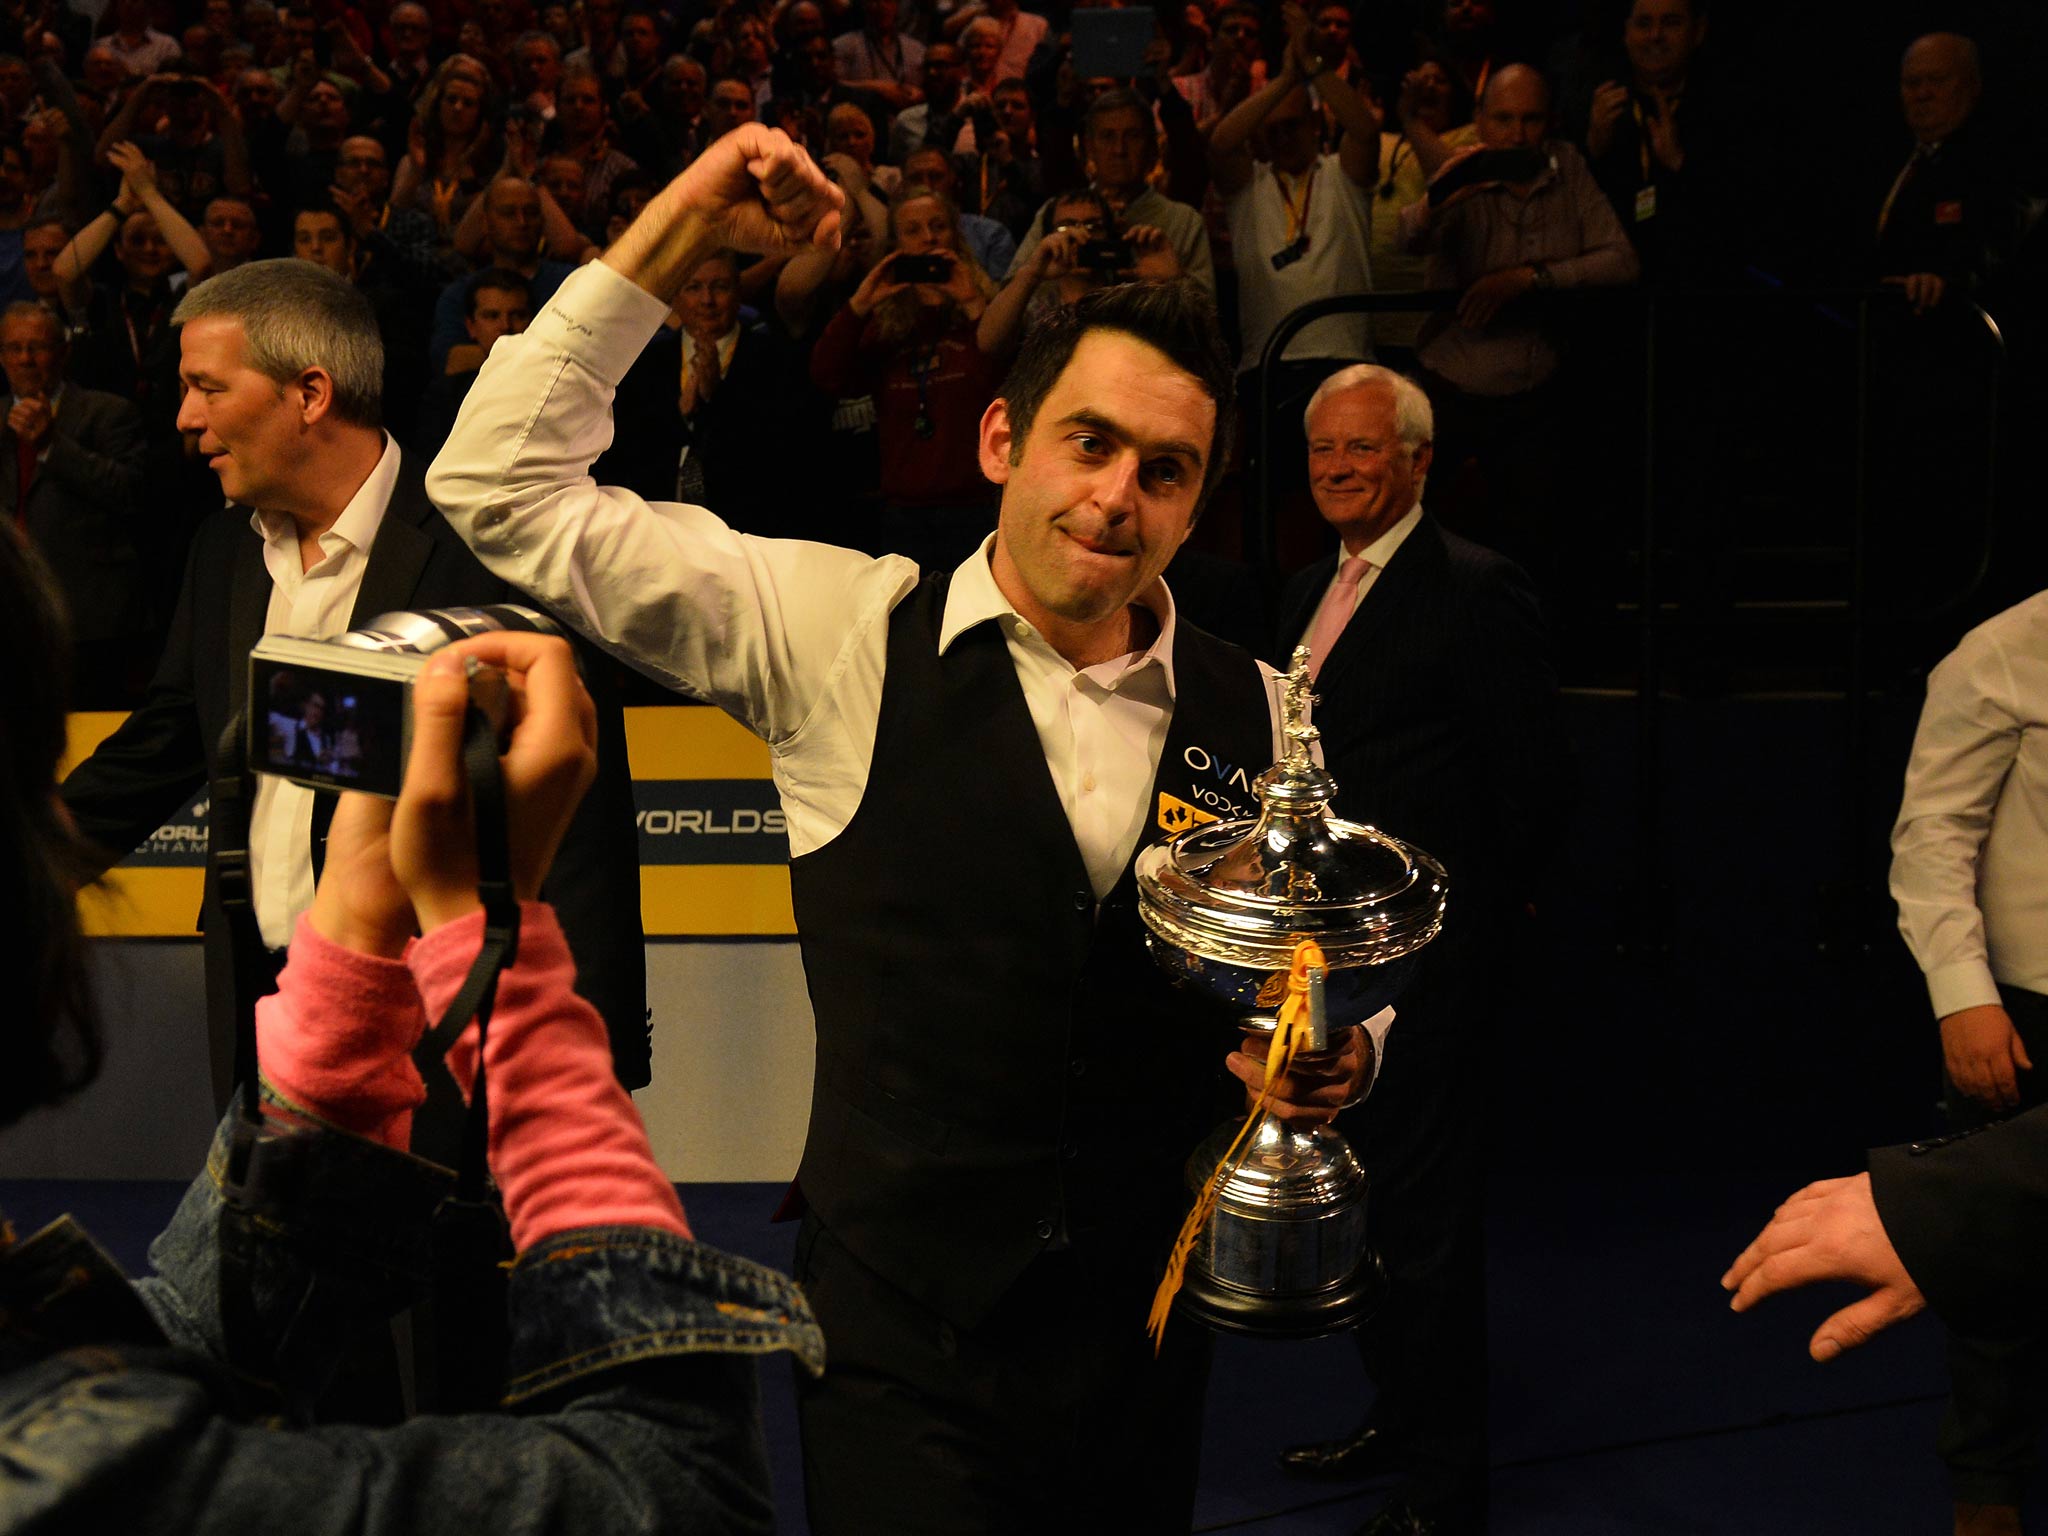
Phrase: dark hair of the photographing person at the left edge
(50, 1041)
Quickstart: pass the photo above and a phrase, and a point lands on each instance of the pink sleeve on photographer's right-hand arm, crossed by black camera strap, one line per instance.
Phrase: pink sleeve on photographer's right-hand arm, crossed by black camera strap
(568, 1148)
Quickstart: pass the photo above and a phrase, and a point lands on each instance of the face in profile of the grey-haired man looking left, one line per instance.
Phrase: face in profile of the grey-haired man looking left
(249, 427)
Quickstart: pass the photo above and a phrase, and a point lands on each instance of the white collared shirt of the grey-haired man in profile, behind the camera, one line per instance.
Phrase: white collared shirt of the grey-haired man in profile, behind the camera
(314, 605)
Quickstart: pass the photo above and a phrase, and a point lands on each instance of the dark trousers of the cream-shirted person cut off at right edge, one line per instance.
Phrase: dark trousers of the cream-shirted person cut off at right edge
(1998, 1406)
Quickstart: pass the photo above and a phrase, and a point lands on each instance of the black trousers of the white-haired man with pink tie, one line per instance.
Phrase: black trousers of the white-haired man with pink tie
(1422, 1140)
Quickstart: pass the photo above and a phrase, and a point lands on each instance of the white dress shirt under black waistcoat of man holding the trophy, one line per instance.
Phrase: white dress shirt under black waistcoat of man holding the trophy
(787, 638)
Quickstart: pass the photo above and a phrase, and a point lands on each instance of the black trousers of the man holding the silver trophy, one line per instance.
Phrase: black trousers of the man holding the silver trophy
(1050, 1416)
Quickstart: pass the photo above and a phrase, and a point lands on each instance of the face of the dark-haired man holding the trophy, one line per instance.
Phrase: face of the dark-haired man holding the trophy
(1103, 490)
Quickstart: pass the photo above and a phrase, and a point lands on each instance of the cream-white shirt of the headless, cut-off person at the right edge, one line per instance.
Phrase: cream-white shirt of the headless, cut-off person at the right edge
(1971, 847)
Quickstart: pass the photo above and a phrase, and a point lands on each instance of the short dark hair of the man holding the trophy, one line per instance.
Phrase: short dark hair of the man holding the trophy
(1175, 318)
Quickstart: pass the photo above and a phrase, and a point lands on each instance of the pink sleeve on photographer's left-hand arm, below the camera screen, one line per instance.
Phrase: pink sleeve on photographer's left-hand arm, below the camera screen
(339, 1033)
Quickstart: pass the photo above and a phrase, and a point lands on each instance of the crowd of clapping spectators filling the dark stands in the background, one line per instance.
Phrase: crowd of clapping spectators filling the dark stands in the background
(458, 161)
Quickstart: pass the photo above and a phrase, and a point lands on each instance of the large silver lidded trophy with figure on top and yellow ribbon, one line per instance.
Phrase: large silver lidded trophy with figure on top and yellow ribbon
(1226, 904)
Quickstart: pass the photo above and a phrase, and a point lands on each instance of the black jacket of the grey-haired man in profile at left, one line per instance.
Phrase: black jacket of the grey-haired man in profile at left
(169, 749)
